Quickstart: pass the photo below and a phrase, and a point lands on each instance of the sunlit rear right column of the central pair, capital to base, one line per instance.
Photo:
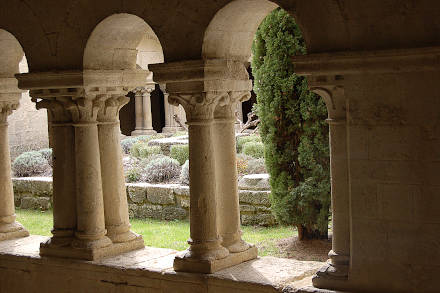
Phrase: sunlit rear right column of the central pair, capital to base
(226, 172)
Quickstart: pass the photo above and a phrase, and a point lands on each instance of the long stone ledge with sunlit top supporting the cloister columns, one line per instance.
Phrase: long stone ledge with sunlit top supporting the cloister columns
(145, 270)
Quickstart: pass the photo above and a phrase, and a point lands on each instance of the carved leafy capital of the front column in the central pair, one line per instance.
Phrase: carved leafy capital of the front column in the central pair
(199, 106)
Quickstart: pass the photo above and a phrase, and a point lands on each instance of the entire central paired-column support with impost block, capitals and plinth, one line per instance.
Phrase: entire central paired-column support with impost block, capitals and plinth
(200, 86)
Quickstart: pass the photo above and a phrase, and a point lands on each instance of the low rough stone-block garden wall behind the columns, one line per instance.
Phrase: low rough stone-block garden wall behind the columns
(155, 201)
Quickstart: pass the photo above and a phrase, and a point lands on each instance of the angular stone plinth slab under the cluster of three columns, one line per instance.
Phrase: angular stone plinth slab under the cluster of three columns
(67, 251)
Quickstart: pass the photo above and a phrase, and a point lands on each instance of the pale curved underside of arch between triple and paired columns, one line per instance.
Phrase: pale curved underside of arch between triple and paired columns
(122, 41)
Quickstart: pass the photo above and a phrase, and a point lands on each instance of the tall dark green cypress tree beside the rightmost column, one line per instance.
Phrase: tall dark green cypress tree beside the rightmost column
(292, 127)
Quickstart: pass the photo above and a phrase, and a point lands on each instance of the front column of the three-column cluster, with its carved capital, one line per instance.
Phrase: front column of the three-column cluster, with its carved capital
(90, 235)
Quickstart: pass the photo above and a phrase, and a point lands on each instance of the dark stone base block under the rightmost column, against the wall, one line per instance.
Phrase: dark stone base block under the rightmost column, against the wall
(331, 277)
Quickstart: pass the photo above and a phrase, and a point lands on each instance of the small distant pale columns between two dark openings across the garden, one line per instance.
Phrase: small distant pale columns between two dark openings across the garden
(144, 120)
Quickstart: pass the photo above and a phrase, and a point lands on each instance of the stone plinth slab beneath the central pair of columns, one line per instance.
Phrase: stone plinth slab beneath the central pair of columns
(205, 266)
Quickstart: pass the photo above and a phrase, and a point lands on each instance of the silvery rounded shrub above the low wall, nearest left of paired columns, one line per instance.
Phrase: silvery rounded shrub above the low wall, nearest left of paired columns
(161, 170)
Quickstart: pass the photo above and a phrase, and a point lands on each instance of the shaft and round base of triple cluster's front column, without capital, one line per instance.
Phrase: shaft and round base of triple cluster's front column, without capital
(90, 205)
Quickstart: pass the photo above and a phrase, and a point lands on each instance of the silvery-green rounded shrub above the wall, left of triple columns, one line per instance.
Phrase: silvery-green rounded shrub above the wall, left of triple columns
(30, 164)
